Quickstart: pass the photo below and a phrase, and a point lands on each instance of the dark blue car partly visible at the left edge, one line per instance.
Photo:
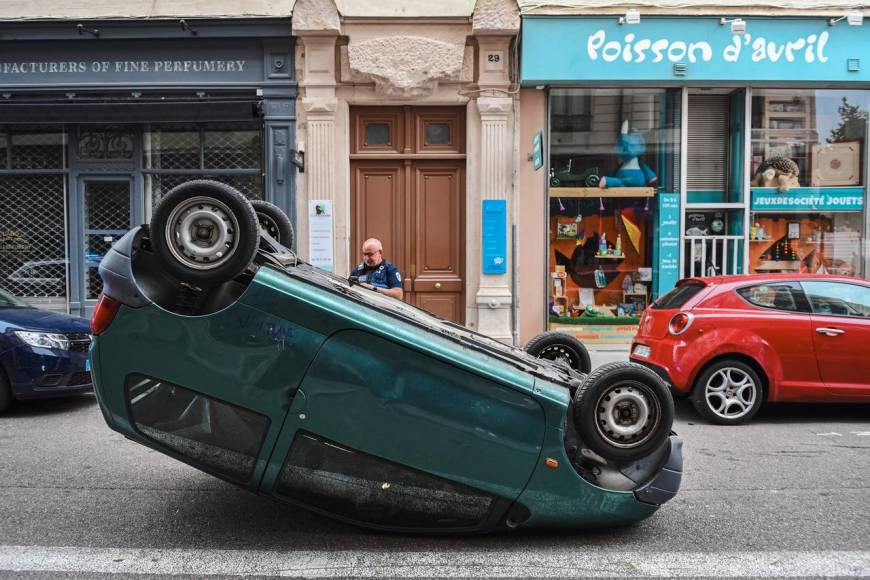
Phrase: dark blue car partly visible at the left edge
(42, 353)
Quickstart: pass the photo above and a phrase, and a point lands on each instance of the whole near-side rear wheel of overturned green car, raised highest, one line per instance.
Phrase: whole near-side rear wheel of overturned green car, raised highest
(224, 226)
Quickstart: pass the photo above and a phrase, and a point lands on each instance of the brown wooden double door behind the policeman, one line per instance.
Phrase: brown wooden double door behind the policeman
(408, 190)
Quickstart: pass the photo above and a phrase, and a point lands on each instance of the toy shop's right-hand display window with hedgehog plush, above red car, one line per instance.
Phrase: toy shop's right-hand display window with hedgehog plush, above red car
(810, 146)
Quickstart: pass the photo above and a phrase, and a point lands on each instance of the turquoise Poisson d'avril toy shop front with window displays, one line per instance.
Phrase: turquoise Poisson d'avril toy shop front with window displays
(688, 146)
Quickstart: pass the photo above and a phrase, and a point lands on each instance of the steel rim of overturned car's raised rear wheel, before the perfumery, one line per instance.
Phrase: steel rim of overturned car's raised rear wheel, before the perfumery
(201, 233)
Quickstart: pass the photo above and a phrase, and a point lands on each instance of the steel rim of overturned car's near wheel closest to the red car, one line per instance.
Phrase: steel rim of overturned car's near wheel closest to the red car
(627, 414)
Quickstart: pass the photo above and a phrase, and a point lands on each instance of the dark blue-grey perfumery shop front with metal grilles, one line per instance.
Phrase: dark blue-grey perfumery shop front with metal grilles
(98, 122)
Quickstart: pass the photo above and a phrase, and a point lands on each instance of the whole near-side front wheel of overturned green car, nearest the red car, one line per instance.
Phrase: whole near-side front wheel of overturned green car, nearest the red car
(623, 411)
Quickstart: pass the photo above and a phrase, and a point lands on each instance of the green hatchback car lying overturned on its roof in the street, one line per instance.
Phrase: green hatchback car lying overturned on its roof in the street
(216, 345)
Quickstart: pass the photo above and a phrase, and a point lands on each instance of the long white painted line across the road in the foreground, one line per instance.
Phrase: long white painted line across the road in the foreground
(545, 562)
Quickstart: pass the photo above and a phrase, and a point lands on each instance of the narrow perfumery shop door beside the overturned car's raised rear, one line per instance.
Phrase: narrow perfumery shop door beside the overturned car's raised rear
(107, 218)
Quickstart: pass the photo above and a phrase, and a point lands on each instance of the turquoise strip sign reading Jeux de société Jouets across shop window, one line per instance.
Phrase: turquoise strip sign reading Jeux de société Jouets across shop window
(808, 199)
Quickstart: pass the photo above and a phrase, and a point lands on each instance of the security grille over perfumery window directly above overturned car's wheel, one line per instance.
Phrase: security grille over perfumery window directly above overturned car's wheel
(231, 154)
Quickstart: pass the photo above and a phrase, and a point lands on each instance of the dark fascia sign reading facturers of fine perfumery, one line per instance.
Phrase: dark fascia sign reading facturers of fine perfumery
(224, 61)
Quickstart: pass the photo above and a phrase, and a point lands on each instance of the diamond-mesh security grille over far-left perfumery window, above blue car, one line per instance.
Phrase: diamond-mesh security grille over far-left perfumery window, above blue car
(33, 263)
